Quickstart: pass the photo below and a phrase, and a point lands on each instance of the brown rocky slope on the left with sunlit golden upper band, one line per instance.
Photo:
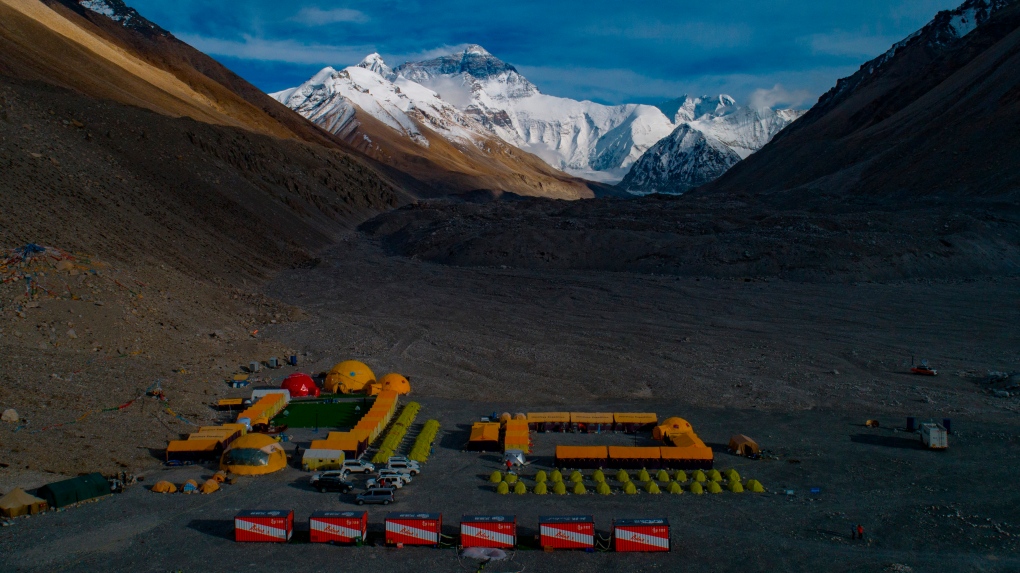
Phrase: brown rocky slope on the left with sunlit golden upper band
(173, 189)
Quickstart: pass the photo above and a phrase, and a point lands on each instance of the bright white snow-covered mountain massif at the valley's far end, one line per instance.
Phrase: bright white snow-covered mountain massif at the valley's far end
(471, 96)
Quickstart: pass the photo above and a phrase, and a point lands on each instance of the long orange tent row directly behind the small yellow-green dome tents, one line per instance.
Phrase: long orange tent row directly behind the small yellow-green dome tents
(634, 457)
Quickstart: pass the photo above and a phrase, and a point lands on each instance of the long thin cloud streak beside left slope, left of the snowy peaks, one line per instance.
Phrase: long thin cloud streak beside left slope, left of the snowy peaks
(252, 48)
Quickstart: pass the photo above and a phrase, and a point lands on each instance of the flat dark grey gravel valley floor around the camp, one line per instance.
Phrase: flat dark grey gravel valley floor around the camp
(798, 367)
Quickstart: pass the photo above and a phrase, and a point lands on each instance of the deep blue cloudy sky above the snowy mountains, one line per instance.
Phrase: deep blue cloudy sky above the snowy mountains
(785, 53)
